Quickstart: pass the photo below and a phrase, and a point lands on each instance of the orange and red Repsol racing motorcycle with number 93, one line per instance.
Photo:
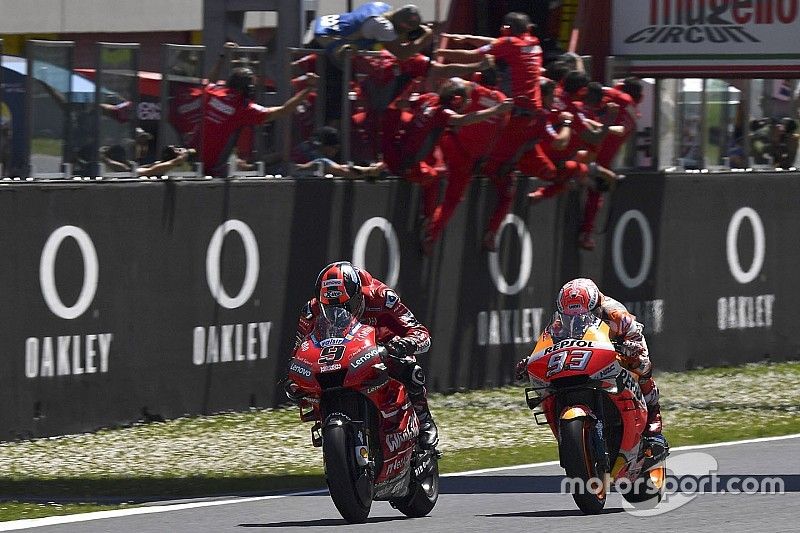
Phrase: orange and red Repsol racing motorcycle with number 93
(597, 413)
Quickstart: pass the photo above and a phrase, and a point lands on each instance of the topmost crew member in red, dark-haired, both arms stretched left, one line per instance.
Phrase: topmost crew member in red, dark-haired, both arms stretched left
(518, 56)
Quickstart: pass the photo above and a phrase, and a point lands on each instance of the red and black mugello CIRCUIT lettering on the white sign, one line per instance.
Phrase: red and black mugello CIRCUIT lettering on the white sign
(712, 21)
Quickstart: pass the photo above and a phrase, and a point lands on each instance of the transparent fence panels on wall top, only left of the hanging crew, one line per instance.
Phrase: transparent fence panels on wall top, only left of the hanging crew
(105, 122)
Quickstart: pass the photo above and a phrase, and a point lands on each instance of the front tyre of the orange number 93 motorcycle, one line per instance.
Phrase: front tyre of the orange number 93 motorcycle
(577, 457)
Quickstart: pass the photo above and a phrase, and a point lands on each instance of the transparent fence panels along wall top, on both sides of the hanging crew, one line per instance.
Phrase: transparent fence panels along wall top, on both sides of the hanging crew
(104, 123)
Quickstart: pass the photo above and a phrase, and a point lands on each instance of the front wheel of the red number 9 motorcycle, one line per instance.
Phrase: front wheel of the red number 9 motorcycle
(346, 482)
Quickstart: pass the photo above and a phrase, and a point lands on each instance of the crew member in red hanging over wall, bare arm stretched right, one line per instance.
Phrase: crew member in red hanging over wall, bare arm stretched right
(408, 143)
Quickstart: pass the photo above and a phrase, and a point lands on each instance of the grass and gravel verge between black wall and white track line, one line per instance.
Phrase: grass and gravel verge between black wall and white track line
(266, 450)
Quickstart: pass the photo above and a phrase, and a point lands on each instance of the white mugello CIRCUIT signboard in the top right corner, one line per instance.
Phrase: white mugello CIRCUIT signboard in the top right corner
(733, 36)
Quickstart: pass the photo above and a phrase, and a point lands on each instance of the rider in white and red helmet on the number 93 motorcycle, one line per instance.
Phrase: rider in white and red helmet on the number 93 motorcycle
(581, 296)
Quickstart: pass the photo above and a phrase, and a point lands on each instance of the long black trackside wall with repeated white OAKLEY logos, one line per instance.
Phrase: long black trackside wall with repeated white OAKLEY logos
(124, 300)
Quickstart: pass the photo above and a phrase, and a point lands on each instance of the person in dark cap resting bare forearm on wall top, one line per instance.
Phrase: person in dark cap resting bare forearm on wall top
(321, 154)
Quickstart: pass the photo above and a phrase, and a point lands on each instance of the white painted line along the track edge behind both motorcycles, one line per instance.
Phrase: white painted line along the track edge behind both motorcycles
(98, 515)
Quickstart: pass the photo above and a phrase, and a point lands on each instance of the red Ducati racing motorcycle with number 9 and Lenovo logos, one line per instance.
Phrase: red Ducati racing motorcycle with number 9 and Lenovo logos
(363, 420)
